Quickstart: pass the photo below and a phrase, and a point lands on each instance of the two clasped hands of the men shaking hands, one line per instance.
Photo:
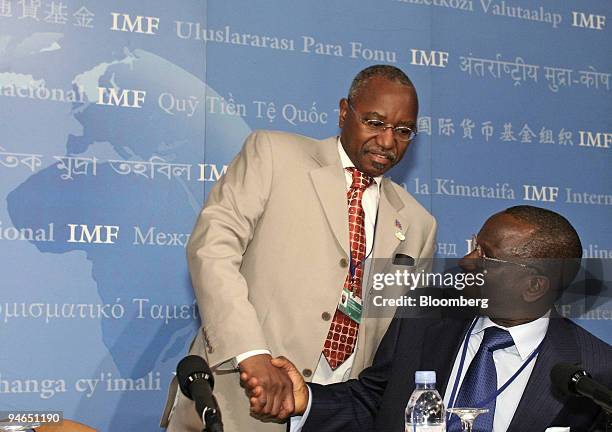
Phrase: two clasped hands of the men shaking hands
(275, 388)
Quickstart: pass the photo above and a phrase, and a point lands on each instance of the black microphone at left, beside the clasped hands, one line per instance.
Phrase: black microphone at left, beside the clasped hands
(196, 382)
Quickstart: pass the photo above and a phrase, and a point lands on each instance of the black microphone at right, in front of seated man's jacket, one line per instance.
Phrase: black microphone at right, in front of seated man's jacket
(571, 379)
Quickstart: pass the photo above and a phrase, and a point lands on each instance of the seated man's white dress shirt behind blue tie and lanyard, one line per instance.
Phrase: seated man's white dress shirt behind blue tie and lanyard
(527, 337)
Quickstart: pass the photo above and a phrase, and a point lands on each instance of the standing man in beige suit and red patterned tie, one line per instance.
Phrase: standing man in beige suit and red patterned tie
(276, 254)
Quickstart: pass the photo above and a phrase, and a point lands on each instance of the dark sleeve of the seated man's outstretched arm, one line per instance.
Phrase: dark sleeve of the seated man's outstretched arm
(352, 405)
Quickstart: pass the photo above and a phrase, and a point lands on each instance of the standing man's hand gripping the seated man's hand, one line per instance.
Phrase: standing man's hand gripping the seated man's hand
(269, 387)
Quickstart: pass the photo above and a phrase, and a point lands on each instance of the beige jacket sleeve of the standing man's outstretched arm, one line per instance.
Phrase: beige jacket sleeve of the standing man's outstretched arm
(220, 238)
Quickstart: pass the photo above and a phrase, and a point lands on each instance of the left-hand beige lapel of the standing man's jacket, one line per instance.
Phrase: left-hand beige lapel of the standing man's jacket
(330, 185)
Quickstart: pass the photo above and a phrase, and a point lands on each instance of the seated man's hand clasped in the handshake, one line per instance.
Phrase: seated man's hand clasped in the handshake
(300, 391)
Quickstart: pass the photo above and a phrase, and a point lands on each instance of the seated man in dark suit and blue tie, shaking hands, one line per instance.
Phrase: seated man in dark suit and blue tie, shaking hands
(518, 250)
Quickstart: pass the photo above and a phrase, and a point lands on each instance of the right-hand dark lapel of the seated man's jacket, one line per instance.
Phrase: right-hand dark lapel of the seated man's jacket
(559, 345)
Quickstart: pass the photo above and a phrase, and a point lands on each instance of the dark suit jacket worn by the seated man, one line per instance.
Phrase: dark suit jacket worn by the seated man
(376, 401)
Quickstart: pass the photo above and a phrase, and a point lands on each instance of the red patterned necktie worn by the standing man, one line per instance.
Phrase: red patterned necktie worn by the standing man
(342, 335)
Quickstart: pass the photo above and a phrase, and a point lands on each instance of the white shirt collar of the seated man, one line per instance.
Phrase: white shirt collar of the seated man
(527, 337)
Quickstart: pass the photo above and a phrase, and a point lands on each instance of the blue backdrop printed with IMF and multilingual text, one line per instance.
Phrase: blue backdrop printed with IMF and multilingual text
(117, 117)
